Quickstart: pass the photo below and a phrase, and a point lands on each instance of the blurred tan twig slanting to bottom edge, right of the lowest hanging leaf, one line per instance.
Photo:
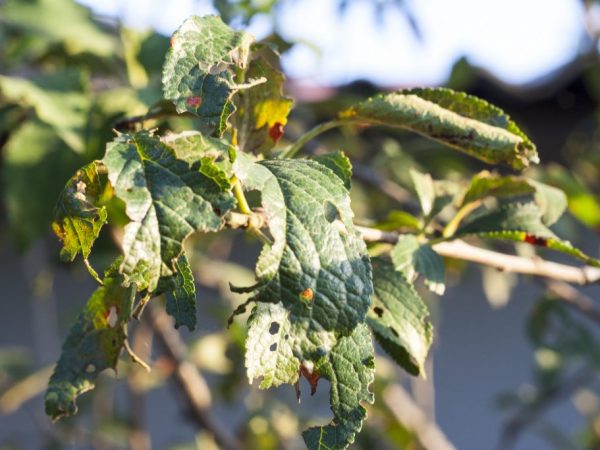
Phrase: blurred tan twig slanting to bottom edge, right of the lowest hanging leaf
(408, 413)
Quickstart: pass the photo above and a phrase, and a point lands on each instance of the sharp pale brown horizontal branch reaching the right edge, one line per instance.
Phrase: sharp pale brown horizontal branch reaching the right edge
(459, 249)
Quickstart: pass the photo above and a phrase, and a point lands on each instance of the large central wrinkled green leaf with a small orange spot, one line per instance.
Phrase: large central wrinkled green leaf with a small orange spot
(317, 264)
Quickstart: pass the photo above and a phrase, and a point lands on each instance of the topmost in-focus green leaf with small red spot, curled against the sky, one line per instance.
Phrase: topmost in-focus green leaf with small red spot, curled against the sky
(200, 68)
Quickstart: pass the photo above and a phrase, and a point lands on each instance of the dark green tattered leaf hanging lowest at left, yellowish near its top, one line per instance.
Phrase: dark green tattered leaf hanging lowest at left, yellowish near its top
(94, 344)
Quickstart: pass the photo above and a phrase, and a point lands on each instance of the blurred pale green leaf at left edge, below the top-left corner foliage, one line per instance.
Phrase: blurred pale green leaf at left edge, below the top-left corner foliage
(60, 100)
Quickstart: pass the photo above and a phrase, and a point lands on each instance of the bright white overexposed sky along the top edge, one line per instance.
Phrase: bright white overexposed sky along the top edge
(517, 40)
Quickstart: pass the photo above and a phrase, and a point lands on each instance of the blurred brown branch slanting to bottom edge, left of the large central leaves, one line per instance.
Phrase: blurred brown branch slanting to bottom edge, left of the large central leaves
(189, 379)
